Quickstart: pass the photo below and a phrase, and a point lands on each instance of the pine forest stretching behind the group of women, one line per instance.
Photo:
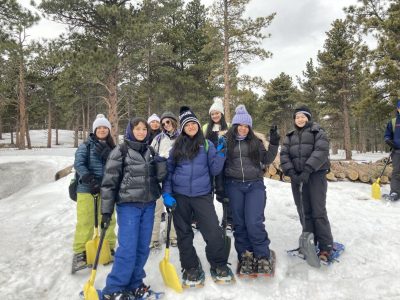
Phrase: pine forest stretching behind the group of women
(133, 58)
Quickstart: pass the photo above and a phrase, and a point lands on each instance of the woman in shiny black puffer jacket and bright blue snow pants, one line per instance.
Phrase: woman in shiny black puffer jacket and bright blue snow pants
(130, 182)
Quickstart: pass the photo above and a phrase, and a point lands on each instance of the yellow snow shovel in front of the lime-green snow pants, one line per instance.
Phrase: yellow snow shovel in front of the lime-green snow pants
(92, 245)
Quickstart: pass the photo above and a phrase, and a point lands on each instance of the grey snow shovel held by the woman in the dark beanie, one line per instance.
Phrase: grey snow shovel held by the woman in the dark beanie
(306, 239)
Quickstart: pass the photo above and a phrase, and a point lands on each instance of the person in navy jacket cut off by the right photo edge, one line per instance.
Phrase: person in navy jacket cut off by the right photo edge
(392, 139)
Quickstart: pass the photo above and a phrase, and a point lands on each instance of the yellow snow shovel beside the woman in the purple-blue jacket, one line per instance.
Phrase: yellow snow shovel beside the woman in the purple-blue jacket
(167, 269)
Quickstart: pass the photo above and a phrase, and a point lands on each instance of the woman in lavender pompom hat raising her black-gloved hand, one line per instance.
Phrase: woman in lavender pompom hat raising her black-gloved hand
(246, 191)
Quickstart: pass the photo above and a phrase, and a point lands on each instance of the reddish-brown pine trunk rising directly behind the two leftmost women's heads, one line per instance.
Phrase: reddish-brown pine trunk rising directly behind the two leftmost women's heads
(113, 104)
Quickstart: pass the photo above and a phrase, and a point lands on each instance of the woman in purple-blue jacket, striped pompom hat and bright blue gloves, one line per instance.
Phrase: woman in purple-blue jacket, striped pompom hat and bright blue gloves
(187, 190)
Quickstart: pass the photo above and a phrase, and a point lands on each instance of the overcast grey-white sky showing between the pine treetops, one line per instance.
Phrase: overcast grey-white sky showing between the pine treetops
(298, 32)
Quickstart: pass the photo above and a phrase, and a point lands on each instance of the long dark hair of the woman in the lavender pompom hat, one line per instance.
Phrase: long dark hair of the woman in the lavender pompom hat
(252, 140)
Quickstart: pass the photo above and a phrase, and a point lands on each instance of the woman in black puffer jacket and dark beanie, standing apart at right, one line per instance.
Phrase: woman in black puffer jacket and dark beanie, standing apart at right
(305, 159)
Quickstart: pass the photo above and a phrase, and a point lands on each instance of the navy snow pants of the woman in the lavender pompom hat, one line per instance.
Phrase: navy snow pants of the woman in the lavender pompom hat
(247, 201)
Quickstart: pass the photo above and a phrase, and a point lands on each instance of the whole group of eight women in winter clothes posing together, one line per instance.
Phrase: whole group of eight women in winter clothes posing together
(227, 158)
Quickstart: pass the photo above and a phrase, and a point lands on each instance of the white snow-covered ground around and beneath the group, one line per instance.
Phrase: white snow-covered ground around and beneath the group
(37, 223)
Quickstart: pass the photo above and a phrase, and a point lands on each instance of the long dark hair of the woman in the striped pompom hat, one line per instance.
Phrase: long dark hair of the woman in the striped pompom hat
(186, 147)
